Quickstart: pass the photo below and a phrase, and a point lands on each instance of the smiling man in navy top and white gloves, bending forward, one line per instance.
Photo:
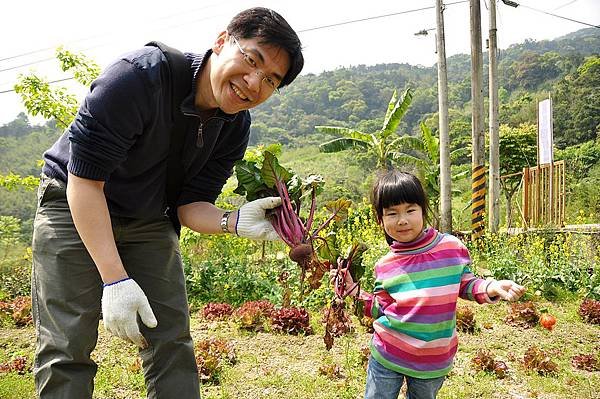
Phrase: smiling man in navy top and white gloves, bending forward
(102, 240)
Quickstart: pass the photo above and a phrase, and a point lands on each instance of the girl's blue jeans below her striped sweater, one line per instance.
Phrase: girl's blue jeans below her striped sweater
(383, 383)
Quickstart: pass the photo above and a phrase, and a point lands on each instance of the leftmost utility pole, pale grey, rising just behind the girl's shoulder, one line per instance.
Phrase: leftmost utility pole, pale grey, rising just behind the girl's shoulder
(445, 182)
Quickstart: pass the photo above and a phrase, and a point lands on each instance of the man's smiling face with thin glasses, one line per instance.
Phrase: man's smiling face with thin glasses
(244, 73)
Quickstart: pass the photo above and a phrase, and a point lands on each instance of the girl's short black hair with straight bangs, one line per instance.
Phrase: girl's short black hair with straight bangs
(393, 187)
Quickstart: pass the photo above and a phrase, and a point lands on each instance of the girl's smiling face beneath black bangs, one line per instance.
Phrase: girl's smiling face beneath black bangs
(403, 222)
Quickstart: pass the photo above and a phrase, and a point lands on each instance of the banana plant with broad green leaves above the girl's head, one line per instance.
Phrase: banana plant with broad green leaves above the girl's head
(383, 145)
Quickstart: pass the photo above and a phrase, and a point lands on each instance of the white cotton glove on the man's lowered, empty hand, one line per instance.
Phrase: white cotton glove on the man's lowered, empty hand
(121, 303)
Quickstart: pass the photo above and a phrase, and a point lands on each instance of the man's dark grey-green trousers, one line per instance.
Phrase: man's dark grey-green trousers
(67, 291)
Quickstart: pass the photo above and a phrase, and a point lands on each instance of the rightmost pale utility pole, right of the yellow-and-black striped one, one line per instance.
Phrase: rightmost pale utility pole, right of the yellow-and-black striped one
(494, 200)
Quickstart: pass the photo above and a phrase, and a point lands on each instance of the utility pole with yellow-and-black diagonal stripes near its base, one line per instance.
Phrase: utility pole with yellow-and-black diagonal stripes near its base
(477, 130)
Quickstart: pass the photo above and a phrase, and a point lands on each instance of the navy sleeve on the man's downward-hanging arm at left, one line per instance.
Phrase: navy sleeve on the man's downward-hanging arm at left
(109, 121)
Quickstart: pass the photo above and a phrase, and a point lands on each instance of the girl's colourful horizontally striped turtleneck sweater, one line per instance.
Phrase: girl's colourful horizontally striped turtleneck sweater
(413, 305)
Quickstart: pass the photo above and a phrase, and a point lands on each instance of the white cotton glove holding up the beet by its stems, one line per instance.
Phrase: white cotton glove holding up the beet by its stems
(251, 222)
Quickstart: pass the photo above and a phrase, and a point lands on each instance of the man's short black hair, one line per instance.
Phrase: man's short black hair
(270, 28)
